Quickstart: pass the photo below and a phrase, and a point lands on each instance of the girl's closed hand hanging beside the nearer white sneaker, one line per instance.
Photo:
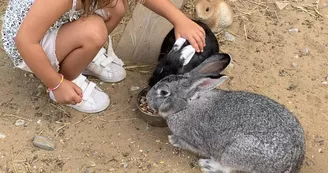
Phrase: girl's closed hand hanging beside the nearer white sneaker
(68, 93)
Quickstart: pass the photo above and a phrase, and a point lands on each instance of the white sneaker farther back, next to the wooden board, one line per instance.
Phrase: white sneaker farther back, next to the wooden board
(106, 66)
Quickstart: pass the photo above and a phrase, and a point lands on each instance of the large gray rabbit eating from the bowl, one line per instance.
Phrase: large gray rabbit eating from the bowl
(234, 130)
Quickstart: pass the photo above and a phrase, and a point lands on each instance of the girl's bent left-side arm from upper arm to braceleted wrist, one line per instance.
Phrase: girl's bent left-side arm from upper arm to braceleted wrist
(40, 17)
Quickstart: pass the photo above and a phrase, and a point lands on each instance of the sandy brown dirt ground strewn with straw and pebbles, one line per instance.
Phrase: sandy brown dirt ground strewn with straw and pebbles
(290, 67)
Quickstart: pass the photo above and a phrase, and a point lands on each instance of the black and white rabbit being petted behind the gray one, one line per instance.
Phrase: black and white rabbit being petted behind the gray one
(178, 56)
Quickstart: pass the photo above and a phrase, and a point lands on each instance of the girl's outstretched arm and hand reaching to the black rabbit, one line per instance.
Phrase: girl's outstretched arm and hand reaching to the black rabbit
(184, 27)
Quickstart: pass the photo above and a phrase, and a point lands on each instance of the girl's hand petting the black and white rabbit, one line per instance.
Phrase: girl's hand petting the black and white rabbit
(191, 31)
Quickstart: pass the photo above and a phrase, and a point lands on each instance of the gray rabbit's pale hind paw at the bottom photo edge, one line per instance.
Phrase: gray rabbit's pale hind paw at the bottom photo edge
(212, 166)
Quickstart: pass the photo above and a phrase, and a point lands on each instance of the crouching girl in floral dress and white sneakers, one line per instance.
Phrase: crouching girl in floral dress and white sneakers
(59, 40)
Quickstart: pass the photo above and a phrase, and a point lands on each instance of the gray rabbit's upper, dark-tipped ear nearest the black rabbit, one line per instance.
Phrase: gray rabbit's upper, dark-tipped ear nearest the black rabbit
(212, 66)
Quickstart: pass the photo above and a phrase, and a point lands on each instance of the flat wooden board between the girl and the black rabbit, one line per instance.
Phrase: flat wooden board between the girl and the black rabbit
(143, 35)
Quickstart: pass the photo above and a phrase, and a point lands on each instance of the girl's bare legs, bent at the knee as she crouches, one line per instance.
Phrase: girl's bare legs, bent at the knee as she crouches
(78, 42)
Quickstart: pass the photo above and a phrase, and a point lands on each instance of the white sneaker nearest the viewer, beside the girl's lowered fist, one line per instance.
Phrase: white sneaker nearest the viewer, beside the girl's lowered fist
(94, 99)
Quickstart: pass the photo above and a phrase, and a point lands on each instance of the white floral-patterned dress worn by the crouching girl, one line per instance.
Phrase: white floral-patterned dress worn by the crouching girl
(14, 16)
